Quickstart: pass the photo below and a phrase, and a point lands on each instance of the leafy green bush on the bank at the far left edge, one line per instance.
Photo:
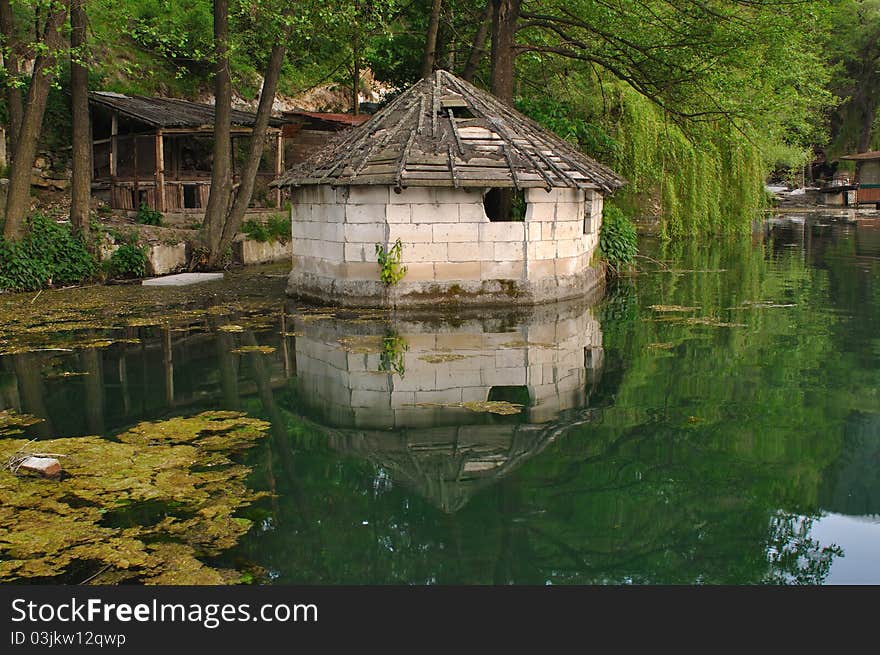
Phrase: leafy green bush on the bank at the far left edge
(49, 254)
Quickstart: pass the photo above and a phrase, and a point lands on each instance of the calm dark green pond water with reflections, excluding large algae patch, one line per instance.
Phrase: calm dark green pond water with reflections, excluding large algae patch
(715, 419)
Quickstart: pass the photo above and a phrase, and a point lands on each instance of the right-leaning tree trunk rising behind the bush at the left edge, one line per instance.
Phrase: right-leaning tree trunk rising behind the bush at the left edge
(18, 198)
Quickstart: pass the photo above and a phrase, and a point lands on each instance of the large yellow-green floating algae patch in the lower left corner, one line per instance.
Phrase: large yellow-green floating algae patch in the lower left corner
(50, 528)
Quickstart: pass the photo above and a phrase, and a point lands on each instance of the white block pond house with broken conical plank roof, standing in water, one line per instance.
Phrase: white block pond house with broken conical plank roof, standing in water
(441, 168)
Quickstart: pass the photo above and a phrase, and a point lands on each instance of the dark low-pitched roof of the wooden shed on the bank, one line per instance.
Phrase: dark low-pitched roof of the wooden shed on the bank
(168, 112)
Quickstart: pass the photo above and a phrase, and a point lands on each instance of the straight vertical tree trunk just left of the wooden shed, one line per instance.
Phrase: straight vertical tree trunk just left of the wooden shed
(81, 179)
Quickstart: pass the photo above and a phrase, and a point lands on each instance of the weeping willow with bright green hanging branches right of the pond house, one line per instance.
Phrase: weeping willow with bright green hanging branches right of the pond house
(694, 102)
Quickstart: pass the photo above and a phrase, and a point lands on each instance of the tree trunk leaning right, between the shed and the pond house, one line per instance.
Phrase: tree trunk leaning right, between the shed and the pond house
(255, 154)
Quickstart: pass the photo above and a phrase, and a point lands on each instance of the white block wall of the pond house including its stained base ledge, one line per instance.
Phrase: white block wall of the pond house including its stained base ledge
(450, 248)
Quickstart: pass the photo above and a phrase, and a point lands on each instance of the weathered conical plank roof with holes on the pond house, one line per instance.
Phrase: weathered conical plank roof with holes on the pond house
(444, 131)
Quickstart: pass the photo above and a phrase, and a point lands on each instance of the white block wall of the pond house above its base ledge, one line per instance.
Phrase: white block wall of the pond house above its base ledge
(445, 233)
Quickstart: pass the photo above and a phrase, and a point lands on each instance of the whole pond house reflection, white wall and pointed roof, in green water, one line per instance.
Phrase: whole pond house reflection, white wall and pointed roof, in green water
(412, 397)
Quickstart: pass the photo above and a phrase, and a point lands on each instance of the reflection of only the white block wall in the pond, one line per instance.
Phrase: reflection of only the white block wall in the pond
(556, 356)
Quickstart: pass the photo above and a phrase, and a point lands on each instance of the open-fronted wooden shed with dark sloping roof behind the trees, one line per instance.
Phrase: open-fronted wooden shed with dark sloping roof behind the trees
(157, 152)
